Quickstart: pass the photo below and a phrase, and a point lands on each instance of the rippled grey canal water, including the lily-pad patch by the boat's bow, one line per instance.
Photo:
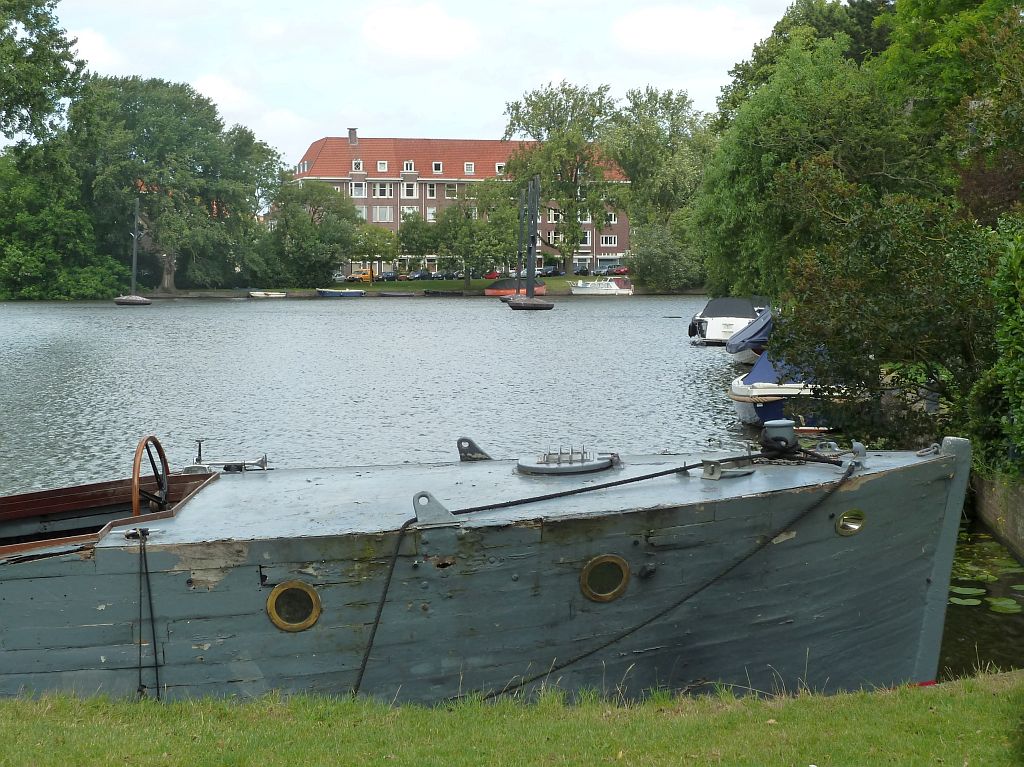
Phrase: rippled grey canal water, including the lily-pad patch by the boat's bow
(393, 380)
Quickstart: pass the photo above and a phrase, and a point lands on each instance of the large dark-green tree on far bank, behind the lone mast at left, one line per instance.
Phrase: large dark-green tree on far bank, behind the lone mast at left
(201, 188)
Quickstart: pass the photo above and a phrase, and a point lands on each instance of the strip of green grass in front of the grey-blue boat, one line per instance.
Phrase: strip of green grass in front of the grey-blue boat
(976, 721)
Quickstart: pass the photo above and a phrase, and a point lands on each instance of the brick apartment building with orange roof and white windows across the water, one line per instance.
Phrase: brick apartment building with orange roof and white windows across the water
(390, 178)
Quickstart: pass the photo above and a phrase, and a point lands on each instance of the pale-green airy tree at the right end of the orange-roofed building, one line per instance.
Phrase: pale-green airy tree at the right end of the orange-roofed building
(663, 147)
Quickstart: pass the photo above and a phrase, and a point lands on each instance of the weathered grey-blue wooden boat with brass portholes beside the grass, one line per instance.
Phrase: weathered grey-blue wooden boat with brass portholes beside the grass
(776, 571)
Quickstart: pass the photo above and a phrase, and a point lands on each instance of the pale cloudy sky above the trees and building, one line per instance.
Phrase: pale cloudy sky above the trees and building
(295, 72)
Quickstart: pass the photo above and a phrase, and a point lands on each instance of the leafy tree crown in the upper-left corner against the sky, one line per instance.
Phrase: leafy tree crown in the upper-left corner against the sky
(38, 69)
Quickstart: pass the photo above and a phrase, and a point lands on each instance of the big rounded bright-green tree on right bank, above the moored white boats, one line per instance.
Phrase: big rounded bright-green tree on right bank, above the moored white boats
(821, 115)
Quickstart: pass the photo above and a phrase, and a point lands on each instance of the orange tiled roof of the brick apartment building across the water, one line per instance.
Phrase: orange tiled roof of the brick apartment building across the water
(332, 157)
